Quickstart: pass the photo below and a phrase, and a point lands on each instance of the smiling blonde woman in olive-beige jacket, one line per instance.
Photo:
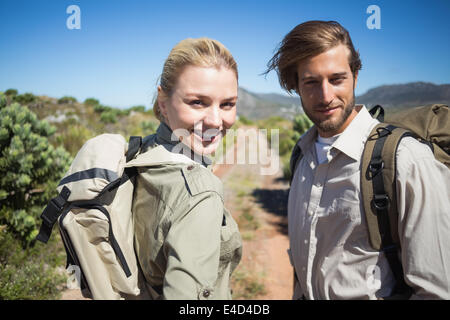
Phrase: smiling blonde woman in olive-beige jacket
(186, 242)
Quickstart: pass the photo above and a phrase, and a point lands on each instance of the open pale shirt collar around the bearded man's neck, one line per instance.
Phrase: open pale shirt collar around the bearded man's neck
(351, 141)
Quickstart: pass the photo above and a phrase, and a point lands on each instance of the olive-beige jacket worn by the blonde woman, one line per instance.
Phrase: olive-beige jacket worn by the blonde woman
(187, 243)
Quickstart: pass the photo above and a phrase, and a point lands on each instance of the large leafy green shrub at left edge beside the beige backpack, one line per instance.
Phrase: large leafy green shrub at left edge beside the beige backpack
(30, 168)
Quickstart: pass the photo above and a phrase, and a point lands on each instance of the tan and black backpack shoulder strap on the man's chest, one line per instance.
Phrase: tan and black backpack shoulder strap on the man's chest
(378, 188)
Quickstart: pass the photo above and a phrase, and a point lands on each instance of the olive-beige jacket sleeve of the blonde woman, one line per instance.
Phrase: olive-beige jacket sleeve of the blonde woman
(192, 247)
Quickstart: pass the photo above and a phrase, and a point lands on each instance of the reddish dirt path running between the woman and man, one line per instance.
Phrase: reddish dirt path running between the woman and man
(258, 203)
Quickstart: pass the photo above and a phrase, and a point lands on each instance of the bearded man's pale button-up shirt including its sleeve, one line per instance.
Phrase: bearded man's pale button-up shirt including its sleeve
(329, 244)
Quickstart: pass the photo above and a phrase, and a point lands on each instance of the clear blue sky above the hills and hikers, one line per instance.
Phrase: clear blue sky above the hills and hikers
(118, 53)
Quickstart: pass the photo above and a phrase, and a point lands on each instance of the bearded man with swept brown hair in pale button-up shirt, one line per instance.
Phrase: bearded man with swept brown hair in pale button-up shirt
(329, 243)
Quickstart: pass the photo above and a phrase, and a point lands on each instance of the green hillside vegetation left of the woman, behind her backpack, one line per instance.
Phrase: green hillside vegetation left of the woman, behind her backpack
(39, 136)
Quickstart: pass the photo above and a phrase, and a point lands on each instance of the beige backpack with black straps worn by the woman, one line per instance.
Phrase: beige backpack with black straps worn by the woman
(94, 214)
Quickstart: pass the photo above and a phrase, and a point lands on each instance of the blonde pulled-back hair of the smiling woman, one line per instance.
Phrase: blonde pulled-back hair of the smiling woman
(201, 52)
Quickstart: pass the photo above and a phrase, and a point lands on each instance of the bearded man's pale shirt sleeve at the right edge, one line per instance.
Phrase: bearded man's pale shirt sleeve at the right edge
(423, 193)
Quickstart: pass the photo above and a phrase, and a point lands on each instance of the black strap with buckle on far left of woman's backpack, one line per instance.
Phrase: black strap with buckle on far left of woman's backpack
(51, 213)
